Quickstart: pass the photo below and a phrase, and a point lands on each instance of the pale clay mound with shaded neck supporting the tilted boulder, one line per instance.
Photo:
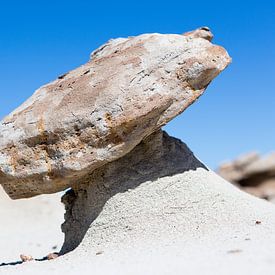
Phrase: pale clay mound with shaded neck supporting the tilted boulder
(175, 224)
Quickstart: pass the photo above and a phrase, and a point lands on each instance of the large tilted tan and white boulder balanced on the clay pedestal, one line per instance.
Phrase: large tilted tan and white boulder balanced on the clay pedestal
(100, 111)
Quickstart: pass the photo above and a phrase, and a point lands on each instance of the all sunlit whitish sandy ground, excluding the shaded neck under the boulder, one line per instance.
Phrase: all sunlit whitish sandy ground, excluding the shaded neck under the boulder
(190, 223)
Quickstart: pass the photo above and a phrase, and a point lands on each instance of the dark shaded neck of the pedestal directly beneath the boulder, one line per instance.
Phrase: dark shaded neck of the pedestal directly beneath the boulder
(159, 155)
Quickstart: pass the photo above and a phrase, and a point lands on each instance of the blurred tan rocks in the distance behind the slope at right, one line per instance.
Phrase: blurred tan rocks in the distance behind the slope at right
(253, 174)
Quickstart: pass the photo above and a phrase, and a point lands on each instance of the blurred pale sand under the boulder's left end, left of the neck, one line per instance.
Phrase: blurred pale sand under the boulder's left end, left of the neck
(29, 226)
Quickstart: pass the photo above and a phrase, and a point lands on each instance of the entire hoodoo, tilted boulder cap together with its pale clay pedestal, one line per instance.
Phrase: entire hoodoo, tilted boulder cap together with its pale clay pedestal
(139, 201)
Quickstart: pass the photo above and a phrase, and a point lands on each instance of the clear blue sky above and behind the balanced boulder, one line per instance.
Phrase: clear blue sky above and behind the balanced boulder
(40, 40)
